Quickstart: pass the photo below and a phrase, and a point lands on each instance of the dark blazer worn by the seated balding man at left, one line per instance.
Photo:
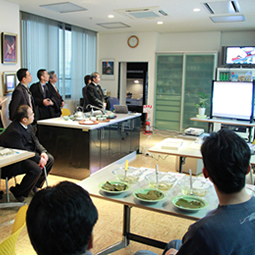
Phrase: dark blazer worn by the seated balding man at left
(17, 137)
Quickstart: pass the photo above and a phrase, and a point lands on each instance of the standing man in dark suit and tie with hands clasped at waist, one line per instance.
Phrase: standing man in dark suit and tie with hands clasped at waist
(43, 96)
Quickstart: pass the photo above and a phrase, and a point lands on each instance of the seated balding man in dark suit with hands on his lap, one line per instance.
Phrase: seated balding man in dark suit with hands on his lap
(19, 135)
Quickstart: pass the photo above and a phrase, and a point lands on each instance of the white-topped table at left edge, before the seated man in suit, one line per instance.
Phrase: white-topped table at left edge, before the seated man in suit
(11, 159)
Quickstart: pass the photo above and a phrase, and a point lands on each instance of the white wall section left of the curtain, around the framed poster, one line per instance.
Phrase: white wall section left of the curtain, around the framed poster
(9, 22)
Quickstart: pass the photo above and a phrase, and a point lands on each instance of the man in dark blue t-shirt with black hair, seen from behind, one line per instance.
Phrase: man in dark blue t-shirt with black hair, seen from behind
(229, 229)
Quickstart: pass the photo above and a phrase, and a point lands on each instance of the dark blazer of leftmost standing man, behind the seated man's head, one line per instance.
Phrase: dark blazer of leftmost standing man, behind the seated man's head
(20, 96)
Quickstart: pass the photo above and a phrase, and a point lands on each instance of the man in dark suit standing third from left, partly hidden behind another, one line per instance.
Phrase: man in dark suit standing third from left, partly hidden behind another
(56, 98)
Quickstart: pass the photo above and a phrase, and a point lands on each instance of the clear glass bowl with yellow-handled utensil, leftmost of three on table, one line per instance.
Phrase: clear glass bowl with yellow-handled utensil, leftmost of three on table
(132, 175)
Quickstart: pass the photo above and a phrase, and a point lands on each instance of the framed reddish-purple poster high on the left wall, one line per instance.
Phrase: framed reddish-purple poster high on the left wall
(9, 48)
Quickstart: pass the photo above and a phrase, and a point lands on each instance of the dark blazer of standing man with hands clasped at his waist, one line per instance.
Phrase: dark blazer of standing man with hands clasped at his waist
(45, 112)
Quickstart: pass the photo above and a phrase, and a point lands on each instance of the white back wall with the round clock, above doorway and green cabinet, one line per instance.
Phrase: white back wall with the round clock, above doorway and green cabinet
(114, 46)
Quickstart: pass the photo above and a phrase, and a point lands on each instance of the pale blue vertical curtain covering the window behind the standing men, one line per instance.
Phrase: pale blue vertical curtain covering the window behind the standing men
(68, 50)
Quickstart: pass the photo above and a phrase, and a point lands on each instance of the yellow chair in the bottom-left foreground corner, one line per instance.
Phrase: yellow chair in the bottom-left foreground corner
(7, 247)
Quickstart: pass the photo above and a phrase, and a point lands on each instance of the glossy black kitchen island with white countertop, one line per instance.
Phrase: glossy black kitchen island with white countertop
(90, 146)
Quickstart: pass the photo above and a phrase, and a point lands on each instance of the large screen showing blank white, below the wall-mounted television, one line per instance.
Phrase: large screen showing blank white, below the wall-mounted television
(232, 100)
